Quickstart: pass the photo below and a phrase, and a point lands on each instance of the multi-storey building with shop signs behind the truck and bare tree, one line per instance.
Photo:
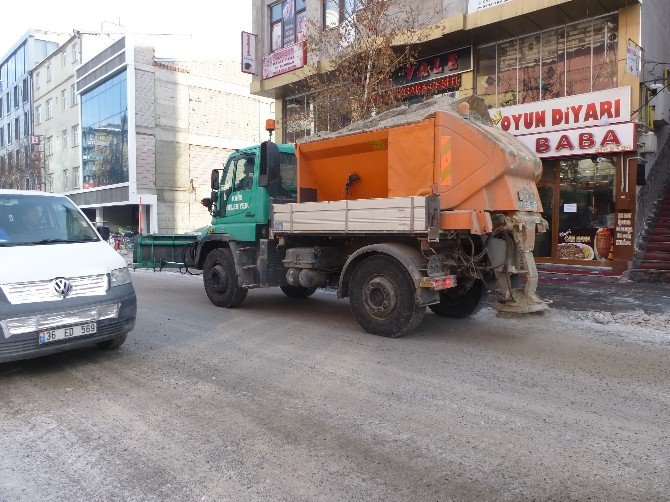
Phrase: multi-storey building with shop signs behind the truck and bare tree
(581, 83)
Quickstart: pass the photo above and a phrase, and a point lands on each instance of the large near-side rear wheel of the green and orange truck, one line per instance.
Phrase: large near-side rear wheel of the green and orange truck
(381, 297)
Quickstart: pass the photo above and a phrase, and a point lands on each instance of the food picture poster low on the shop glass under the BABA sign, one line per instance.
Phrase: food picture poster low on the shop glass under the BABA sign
(586, 244)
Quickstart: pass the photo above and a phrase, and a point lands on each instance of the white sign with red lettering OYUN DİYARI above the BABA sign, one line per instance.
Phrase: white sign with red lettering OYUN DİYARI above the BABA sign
(593, 109)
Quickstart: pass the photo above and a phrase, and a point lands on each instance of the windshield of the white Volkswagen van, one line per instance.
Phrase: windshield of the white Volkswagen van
(38, 219)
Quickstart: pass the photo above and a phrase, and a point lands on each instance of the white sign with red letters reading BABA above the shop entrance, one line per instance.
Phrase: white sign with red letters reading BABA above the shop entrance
(592, 140)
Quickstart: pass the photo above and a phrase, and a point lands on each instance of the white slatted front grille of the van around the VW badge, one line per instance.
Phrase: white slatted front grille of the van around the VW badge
(43, 291)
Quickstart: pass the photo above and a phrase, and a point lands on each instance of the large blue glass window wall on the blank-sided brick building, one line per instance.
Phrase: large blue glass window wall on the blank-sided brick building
(104, 129)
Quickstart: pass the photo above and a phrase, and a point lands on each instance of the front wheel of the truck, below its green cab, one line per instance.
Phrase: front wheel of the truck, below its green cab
(220, 278)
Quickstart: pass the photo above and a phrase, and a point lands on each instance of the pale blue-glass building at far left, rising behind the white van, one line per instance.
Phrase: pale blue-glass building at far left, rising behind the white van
(19, 165)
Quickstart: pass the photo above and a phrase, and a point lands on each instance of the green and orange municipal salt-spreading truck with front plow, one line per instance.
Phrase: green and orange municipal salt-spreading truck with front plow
(413, 209)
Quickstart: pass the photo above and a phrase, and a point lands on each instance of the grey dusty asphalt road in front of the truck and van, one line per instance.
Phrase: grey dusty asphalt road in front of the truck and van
(288, 400)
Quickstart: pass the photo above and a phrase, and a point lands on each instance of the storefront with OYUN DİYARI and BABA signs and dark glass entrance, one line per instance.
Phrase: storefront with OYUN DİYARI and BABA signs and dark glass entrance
(588, 146)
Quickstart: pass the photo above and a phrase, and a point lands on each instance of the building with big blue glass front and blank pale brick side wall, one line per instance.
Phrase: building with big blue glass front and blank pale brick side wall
(152, 129)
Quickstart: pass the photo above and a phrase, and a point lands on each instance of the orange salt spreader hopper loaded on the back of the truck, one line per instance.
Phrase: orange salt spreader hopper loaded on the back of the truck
(484, 180)
